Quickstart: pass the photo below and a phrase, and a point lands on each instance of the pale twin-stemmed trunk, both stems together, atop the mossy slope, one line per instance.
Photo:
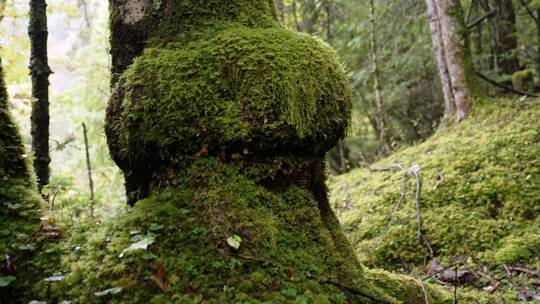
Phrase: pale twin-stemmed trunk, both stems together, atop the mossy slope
(455, 49)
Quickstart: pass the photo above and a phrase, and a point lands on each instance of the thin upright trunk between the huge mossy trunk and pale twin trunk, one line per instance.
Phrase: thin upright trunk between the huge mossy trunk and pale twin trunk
(380, 114)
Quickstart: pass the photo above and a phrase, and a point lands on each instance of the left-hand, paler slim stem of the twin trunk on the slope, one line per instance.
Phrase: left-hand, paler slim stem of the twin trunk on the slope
(440, 57)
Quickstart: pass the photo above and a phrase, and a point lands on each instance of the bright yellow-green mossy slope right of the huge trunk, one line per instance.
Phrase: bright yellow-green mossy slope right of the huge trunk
(480, 193)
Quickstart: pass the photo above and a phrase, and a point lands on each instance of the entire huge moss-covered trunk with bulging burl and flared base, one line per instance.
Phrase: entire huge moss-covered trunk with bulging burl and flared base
(220, 120)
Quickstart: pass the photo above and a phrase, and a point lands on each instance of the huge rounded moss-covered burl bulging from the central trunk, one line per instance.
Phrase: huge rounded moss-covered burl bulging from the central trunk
(234, 93)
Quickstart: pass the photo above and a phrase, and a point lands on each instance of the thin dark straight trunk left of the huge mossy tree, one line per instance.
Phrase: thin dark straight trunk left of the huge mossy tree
(39, 70)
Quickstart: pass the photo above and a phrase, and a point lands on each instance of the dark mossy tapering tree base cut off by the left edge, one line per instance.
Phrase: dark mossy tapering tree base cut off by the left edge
(19, 212)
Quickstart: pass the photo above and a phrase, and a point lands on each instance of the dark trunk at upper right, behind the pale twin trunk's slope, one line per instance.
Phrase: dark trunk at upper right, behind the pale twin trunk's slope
(503, 37)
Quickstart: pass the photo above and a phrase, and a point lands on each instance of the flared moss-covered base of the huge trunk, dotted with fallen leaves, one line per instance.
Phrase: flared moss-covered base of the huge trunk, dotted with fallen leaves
(178, 246)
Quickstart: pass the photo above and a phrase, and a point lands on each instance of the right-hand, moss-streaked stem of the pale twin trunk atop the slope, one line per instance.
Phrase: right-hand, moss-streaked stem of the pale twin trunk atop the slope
(457, 55)
